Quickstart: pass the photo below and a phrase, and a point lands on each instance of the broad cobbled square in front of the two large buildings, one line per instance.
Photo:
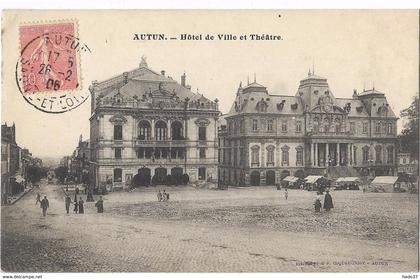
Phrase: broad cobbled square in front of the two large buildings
(238, 230)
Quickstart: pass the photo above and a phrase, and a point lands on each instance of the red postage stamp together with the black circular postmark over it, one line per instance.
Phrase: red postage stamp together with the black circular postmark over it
(48, 69)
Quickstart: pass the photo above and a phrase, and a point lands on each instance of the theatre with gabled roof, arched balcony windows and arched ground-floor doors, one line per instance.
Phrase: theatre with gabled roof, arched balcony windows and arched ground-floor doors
(146, 123)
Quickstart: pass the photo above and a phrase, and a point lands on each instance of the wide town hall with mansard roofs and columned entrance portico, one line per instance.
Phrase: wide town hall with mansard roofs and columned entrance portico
(266, 137)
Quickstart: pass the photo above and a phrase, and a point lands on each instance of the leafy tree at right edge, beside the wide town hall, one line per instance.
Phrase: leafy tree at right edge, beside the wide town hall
(409, 138)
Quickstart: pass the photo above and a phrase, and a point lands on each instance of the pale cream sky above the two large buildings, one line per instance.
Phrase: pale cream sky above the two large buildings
(352, 49)
